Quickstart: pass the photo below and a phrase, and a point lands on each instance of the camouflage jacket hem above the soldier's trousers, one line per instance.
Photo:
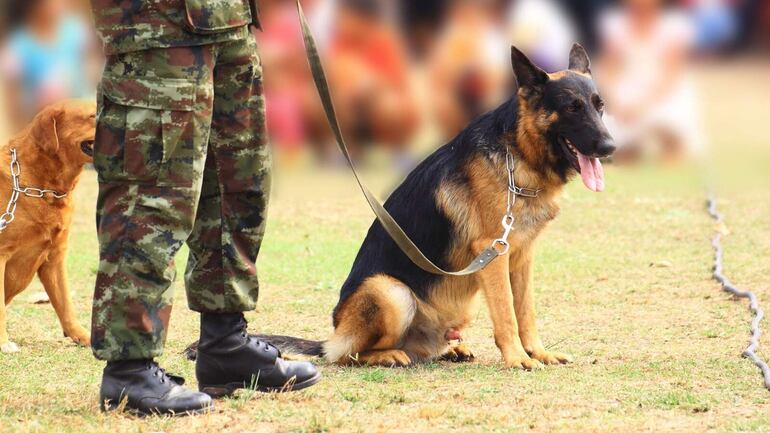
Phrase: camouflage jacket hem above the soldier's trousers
(126, 26)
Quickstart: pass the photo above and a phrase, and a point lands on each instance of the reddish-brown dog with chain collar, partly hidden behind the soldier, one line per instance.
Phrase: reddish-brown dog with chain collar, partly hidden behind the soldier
(51, 153)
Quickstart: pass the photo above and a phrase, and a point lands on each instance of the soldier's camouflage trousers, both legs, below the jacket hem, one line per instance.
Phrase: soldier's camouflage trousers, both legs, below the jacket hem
(182, 156)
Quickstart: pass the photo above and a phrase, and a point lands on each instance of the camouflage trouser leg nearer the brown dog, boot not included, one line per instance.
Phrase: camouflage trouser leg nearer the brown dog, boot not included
(152, 132)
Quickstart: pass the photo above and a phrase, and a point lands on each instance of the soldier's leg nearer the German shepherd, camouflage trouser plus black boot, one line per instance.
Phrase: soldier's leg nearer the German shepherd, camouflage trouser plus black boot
(221, 275)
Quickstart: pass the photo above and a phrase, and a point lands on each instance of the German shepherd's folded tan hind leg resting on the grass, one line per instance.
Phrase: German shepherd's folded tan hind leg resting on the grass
(371, 324)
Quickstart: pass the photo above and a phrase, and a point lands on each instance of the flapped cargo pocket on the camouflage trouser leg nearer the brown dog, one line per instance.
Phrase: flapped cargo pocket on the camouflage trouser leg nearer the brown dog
(145, 125)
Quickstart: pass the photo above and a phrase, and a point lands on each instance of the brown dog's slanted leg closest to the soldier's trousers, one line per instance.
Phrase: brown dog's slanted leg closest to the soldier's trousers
(54, 278)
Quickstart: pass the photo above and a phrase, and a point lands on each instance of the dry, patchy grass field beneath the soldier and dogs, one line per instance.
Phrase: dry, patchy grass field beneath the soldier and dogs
(622, 280)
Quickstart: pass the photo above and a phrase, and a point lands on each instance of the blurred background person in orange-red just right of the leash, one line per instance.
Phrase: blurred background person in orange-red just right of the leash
(369, 73)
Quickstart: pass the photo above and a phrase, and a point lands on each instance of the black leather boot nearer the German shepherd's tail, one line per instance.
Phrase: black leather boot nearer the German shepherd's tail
(230, 359)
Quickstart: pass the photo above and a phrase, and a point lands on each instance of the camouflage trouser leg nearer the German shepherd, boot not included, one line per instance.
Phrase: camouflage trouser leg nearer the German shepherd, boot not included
(221, 274)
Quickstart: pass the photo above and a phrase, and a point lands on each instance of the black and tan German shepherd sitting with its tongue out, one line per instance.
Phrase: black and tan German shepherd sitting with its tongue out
(391, 312)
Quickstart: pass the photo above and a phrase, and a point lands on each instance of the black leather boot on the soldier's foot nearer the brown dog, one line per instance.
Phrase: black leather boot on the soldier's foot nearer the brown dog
(148, 390)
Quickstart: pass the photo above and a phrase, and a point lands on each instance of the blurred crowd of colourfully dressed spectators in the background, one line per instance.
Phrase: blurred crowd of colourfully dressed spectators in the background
(399, 68)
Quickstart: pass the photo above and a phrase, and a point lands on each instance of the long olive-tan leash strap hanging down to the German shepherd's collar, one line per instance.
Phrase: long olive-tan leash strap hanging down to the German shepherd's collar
(383, 216)
